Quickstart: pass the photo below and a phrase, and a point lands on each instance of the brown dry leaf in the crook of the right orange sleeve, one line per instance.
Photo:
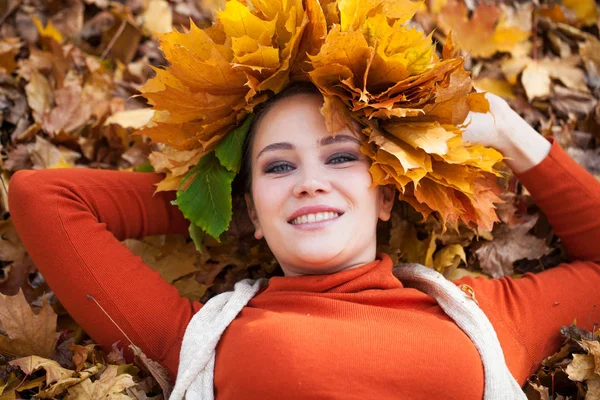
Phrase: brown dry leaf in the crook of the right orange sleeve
(510, 244)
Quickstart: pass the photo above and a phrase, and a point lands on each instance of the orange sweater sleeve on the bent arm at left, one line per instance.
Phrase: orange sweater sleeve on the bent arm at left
(72, 221)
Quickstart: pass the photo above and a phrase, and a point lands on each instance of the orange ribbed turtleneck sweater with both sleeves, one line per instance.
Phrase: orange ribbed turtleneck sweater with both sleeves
(353, 334)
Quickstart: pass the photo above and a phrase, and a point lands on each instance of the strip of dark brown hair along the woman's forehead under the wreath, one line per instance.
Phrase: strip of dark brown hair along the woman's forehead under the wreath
(259, 112)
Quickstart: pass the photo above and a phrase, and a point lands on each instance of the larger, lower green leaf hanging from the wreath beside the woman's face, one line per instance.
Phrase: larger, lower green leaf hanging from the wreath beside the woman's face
(204, 195)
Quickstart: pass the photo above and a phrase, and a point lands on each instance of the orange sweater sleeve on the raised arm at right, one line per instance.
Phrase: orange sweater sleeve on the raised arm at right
(528, 312)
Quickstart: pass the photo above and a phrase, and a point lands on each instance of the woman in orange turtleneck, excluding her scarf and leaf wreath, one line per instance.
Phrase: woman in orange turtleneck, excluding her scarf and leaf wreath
(339, 324)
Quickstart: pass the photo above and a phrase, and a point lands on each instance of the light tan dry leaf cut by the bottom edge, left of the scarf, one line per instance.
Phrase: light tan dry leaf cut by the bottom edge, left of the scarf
(111, 385)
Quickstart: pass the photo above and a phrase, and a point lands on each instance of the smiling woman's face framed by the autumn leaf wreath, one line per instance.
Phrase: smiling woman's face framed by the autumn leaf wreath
(312, 198)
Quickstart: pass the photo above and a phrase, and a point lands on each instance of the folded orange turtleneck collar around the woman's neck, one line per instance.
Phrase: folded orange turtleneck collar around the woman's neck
(374, 275)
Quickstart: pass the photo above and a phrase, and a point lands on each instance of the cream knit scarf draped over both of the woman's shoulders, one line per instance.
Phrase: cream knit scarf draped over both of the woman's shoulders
(195, 379)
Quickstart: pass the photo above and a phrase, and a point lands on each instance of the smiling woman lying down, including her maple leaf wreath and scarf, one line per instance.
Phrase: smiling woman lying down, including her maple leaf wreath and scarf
(344, 322)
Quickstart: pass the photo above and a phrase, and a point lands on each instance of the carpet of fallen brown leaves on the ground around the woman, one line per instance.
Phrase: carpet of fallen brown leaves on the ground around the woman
(69, 73)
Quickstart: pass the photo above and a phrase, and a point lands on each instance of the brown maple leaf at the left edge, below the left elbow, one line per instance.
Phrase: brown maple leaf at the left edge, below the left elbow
(27, 333)
